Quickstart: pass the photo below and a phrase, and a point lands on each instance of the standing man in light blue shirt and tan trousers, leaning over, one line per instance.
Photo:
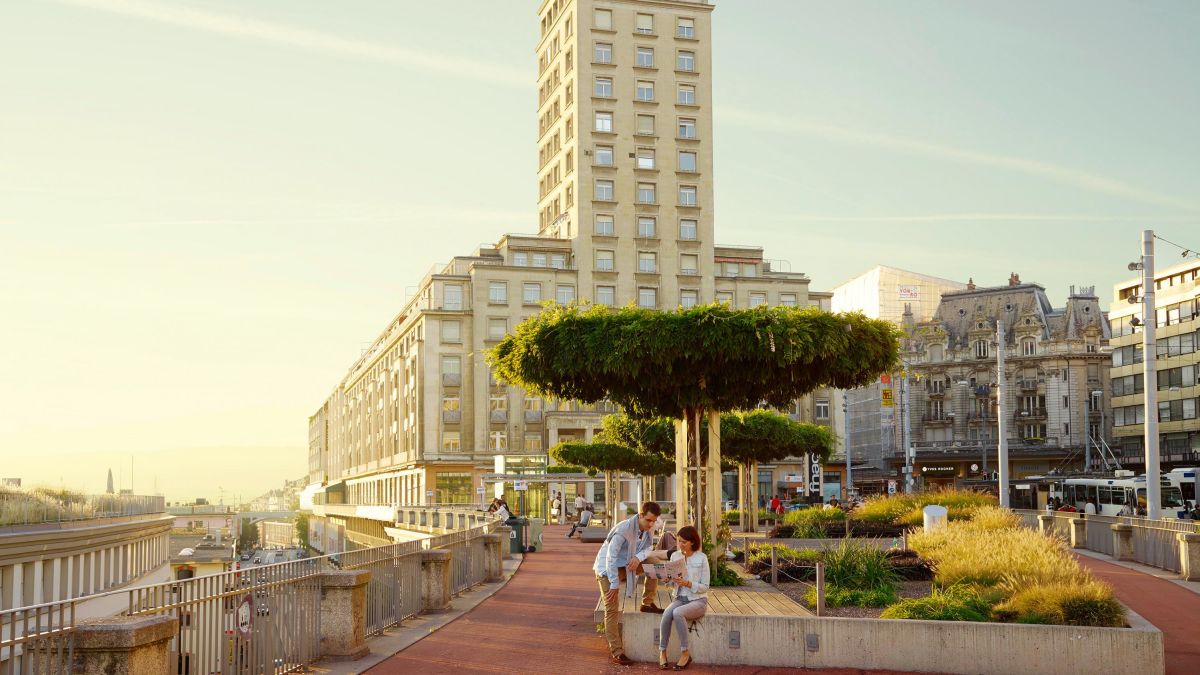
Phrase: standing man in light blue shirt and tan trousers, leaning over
(621, 557)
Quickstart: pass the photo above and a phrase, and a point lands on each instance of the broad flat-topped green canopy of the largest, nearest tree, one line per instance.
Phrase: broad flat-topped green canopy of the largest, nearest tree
(711, 357)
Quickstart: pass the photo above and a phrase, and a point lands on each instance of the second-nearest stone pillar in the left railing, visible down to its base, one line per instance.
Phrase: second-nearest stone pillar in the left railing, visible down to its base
(344, 614)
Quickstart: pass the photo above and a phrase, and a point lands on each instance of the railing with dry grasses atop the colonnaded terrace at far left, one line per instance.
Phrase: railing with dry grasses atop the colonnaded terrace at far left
(40, 507)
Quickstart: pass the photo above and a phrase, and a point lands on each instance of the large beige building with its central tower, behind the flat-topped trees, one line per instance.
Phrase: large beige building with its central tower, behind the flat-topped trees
(626, 218)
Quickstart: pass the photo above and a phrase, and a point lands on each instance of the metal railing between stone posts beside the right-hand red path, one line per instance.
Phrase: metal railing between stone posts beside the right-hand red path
(1155, 542)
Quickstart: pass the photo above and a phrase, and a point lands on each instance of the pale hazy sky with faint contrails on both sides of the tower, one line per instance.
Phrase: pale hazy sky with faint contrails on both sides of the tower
(207, 208)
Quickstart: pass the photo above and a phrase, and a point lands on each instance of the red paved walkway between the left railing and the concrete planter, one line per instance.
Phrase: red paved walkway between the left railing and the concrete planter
(539, 623)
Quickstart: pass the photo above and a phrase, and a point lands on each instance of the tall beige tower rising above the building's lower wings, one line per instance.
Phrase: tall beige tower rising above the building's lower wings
(625, 146)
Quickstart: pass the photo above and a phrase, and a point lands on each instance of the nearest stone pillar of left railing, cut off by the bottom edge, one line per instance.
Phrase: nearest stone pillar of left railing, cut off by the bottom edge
(124, 646)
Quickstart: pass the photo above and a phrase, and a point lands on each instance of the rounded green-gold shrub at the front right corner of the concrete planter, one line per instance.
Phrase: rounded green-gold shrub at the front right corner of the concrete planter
(1090, 604)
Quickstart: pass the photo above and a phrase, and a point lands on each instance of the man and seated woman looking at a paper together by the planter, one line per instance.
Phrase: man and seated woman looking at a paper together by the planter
(621, 559)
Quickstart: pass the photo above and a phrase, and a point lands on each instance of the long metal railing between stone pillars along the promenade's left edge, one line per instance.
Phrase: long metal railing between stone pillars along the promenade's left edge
(257, 620)
